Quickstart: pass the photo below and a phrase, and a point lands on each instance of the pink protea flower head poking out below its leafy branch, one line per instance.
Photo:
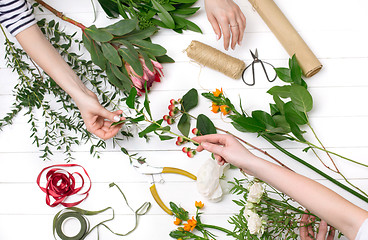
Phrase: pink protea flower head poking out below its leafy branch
(148, 75)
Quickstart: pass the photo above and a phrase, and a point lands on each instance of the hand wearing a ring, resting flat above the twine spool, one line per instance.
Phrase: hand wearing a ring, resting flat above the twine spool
(227, 15)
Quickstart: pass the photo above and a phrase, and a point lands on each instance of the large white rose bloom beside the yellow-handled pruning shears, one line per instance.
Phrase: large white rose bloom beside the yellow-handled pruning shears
(208, 180)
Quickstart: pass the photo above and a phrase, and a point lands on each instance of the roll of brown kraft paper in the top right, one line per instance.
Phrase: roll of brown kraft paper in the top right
(287, 35)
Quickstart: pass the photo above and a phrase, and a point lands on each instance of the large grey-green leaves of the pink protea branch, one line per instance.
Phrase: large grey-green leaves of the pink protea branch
(115, 46)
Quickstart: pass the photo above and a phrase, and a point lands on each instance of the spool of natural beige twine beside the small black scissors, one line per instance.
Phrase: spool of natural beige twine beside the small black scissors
(215, 59)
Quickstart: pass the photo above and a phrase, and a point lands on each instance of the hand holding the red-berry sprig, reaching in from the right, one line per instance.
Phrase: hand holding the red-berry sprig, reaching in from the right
(225, 149)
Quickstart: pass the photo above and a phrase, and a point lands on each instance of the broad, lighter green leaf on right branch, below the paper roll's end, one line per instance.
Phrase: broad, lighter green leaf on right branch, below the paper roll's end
(301, 98)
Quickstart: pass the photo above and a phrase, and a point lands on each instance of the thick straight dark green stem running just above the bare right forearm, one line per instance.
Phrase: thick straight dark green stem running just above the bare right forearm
(358, 195)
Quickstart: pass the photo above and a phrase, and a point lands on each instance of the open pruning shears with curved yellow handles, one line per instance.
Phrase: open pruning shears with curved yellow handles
(146, 169)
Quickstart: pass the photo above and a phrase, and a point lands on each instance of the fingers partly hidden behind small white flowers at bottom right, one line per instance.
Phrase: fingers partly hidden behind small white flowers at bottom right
(306, 230)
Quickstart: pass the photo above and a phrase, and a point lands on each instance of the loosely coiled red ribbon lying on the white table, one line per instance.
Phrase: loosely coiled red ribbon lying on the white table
(61, 184)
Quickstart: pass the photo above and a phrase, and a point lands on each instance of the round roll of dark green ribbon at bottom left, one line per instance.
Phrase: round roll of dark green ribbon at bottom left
(65, 216)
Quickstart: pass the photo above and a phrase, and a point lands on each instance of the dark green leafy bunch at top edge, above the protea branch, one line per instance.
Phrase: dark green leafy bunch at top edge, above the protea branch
(169, 14)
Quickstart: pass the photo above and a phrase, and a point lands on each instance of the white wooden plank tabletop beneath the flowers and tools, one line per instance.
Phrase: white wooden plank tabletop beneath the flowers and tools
(335, 30)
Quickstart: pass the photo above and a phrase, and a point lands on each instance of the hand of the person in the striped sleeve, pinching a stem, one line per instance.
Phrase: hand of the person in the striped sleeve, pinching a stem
(94, 116)
